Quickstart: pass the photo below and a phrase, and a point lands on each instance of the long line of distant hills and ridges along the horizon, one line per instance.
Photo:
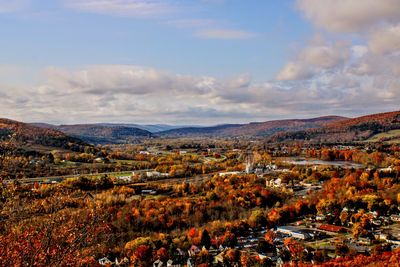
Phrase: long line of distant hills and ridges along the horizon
(320, 129)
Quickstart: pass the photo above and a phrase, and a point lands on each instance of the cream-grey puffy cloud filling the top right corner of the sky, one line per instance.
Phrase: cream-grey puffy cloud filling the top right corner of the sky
(349, 15)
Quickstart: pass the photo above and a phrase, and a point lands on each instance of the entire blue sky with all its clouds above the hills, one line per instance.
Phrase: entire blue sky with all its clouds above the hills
(198, 62)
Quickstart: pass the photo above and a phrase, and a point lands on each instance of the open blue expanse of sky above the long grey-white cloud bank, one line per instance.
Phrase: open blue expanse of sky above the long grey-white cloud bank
(48, 33)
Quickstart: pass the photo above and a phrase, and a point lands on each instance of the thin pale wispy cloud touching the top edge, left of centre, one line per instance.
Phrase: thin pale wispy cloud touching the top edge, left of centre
(128, 8)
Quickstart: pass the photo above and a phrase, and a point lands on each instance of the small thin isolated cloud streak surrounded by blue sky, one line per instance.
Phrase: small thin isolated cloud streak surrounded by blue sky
(224, 34)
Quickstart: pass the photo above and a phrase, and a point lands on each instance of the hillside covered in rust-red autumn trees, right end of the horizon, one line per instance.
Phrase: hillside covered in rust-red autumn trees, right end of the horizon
(348, 130)
